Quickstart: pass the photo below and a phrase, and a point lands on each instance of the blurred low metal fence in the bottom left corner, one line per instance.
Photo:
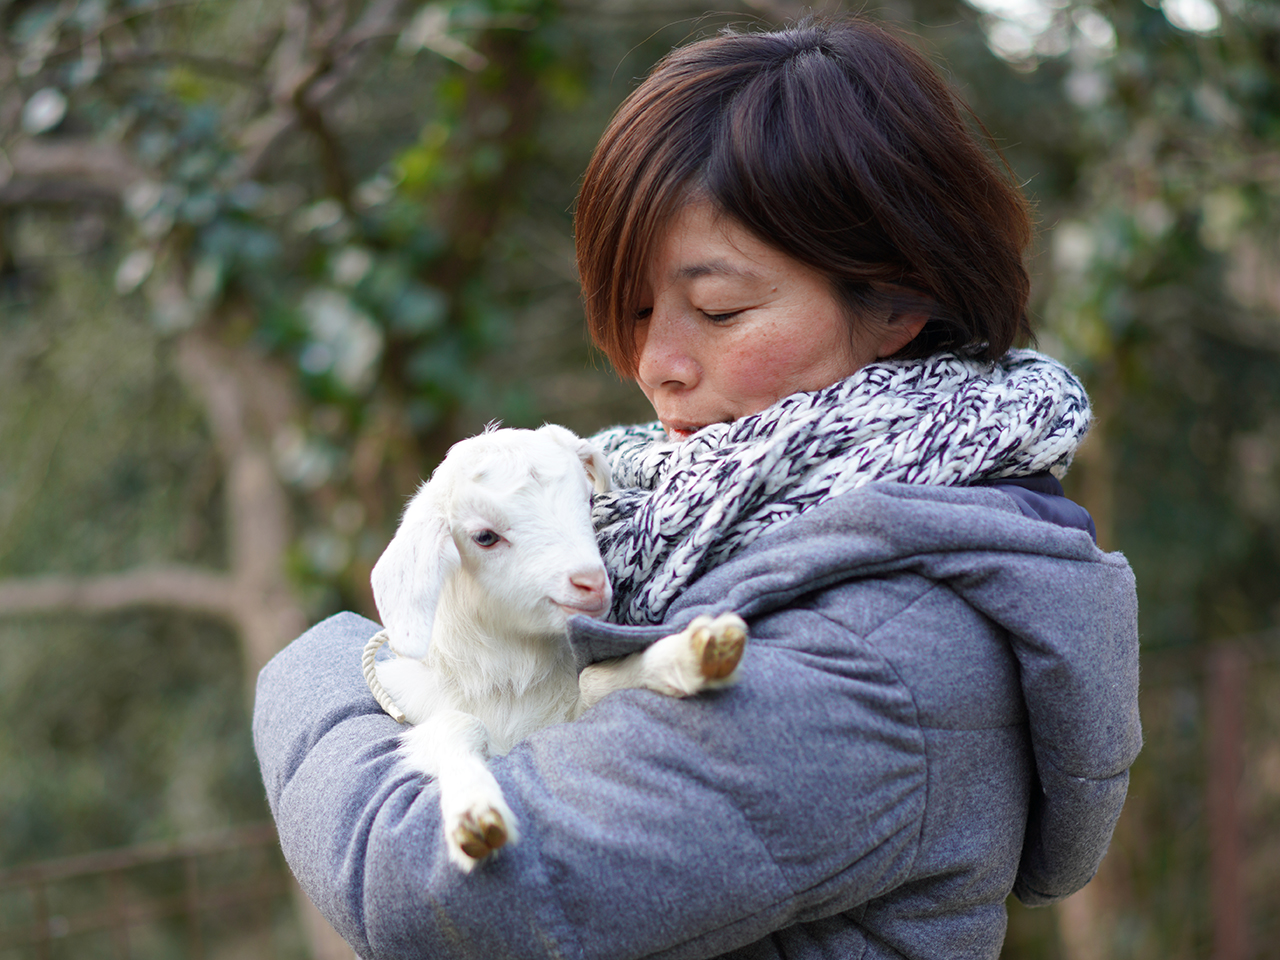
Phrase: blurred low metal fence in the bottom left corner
(222, 894)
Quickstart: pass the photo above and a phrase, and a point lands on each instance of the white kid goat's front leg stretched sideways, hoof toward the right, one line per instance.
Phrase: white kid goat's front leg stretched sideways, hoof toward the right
(703, 656)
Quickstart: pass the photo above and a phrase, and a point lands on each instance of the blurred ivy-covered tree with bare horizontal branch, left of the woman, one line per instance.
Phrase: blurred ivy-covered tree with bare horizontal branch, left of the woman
(312, 250)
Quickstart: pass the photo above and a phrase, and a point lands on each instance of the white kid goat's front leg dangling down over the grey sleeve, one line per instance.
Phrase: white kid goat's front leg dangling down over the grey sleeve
(452, 747)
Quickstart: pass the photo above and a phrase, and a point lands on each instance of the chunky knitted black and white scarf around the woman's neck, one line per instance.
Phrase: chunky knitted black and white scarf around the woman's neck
(680, 509)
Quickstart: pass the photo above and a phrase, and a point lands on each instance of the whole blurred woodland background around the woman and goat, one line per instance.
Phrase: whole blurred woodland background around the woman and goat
(263, 262)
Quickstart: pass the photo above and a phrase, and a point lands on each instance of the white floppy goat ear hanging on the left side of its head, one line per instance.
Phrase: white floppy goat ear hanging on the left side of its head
(409, 577)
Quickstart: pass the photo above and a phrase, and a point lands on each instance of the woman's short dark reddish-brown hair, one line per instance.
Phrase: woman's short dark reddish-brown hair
(833, 141)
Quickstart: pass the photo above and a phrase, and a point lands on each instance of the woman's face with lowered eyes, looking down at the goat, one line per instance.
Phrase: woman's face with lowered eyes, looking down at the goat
(730, 326)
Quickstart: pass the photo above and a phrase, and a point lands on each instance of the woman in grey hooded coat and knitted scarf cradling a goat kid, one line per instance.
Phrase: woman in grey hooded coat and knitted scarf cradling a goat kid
(798, 250)
